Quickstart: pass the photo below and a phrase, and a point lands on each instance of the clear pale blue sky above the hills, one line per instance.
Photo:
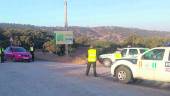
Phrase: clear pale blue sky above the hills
(145, 14)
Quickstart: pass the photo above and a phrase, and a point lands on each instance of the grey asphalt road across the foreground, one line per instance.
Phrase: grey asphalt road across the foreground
(43, 78)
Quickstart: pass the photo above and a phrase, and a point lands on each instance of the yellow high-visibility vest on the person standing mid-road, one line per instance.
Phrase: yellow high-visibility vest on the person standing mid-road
(92, 55)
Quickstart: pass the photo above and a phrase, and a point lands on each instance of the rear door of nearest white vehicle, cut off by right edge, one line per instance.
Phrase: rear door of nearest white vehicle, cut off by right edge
(162, 71)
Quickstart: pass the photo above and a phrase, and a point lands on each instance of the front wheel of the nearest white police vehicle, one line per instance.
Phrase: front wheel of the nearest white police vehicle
(124, 75)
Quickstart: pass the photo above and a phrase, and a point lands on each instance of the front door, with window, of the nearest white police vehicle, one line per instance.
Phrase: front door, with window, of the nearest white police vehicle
(149, 62)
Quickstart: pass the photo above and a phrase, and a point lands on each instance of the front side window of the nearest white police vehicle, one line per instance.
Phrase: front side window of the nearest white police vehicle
(156, 54)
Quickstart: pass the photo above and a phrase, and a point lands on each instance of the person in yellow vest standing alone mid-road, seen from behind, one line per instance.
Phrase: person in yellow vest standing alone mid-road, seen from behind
(92, 58)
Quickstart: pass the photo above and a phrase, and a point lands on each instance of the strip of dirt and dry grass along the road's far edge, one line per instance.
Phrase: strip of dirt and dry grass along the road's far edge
(78, 57)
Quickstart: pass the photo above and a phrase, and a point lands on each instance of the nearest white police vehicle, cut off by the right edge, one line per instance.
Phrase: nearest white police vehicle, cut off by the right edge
(153, 64)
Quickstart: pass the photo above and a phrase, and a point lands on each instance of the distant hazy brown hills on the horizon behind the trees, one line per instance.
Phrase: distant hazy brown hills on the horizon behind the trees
(109, 33)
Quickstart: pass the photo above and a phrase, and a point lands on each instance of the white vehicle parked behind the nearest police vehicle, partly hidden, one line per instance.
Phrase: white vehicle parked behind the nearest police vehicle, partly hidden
(108, 59)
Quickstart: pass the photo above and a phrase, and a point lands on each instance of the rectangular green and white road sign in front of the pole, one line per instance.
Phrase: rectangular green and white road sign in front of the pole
(64, 37)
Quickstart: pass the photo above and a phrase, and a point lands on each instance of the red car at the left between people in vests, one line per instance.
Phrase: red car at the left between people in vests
(17, 54)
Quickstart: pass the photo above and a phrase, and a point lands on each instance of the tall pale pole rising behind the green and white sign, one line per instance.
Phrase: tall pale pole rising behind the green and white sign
(66, 25)
